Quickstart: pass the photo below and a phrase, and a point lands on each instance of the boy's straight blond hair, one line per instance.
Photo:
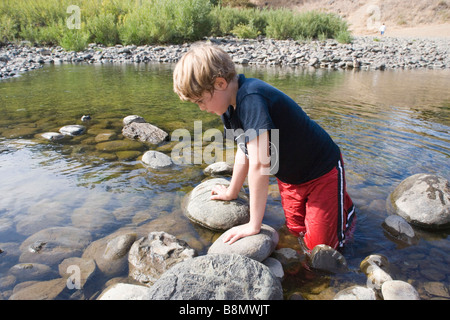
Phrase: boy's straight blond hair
(198, 69)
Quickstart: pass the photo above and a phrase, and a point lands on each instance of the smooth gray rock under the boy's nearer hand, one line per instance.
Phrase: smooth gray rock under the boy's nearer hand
(257, 247)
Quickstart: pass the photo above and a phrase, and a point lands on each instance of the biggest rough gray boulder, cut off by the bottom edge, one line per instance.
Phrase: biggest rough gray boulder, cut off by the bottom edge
(218, 277)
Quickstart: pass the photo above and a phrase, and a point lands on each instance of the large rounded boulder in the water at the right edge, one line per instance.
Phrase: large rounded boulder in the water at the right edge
(422, 200)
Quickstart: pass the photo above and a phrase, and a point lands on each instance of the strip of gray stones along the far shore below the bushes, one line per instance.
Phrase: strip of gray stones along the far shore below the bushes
(365, 53)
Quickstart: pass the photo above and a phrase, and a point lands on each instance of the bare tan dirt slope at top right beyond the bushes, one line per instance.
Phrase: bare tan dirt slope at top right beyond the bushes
(418, 18)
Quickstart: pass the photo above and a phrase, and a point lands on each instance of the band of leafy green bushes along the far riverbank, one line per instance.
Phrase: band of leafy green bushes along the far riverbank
(73, 24)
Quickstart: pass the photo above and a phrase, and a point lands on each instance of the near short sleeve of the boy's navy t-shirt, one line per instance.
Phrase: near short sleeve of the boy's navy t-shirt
(254, 116)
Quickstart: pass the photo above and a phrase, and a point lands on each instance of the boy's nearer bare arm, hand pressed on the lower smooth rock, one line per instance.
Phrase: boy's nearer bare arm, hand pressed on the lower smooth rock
(258, 180)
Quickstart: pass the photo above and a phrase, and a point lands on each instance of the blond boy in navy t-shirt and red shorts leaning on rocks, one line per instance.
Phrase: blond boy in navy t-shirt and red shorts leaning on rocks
(309, 165)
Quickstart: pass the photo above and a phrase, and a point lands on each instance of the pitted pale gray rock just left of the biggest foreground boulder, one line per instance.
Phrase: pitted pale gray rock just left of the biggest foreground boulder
(151, 256)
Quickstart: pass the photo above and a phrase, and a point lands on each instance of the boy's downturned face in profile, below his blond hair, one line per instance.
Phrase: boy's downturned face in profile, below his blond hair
(219, 101)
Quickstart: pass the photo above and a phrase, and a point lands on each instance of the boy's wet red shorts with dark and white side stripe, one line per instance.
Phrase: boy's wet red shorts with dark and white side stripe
(320, 209)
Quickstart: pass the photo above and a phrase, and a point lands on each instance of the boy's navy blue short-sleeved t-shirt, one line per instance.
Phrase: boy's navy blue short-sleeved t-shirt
(302, 149)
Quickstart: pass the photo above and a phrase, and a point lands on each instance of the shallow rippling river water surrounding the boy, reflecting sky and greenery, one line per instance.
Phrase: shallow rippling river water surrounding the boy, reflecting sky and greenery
(389, 125)
